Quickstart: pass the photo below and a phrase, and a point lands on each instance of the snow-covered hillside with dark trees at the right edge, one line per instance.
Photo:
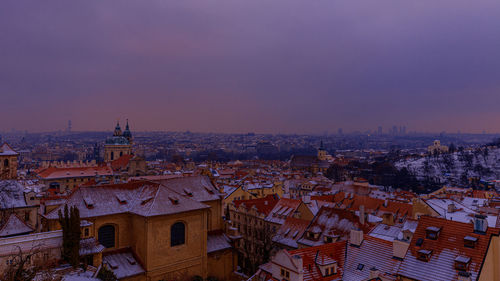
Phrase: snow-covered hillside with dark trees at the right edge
(455, 168)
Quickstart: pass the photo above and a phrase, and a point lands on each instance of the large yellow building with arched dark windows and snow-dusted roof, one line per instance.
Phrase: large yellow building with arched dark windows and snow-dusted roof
(172, 228)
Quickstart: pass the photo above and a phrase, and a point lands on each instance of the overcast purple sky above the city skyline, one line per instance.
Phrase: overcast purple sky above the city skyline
(237, 66)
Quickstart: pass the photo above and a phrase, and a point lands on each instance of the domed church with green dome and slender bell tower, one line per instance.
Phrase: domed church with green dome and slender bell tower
(119, 144)
